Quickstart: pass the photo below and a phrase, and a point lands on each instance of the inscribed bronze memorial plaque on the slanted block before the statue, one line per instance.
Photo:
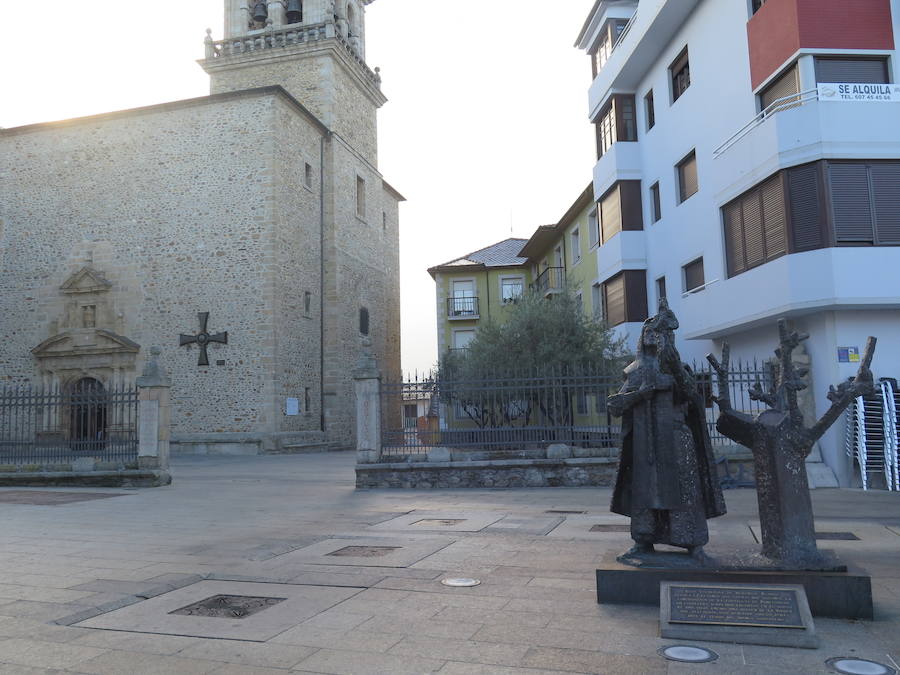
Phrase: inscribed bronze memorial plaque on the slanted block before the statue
(735, 605)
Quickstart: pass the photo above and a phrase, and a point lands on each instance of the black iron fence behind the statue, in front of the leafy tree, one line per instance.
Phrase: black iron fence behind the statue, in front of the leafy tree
(529, 411)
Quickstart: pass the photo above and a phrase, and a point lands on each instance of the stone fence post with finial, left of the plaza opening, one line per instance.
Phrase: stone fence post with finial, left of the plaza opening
(153, 415)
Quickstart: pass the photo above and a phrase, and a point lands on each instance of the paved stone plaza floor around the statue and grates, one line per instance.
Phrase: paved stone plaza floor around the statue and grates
(277, 564)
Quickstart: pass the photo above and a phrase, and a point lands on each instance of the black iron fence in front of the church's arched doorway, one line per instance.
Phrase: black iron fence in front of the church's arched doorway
(48, 426)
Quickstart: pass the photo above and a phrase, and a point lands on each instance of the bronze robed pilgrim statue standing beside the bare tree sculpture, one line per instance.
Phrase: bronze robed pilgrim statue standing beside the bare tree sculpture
(667, 482)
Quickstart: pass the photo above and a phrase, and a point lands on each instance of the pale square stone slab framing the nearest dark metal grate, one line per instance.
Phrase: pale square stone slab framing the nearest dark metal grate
(155, 615)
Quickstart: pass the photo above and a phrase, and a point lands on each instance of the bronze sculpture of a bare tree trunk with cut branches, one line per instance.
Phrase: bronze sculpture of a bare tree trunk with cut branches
(781, 442)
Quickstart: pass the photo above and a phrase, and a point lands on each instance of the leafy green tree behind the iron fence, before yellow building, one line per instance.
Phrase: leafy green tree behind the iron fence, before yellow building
(515, 372)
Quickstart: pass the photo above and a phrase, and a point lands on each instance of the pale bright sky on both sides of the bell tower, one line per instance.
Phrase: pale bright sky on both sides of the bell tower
(485, 131)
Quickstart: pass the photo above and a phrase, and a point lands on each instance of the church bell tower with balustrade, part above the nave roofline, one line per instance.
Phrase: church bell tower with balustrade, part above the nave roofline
(315, 49)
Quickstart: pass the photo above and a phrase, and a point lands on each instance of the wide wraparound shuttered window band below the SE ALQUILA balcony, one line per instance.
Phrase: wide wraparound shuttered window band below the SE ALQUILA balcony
(812, 206)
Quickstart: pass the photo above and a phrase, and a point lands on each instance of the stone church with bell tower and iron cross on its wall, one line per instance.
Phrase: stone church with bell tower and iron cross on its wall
(248, 234)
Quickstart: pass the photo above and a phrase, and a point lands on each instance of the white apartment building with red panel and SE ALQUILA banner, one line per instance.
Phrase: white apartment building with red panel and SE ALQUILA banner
(749, 169)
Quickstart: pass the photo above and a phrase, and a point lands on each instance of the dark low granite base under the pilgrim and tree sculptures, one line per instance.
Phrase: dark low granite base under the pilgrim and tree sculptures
(835, 594)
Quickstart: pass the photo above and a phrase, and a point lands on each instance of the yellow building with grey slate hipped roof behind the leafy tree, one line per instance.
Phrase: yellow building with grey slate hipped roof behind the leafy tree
(477, 287)
